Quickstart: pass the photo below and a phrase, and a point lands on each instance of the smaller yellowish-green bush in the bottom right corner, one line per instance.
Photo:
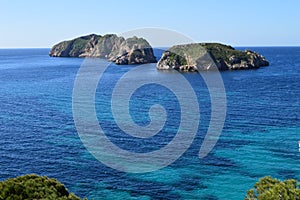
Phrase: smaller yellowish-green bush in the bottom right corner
(269, 188)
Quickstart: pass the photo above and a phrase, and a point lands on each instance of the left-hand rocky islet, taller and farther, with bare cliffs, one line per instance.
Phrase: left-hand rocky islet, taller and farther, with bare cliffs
(117, 49)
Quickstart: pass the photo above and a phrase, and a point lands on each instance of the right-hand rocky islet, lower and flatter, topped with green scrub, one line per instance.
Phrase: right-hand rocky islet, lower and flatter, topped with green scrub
(209, 56)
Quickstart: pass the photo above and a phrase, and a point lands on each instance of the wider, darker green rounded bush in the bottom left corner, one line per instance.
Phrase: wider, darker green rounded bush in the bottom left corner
(32, 186)
